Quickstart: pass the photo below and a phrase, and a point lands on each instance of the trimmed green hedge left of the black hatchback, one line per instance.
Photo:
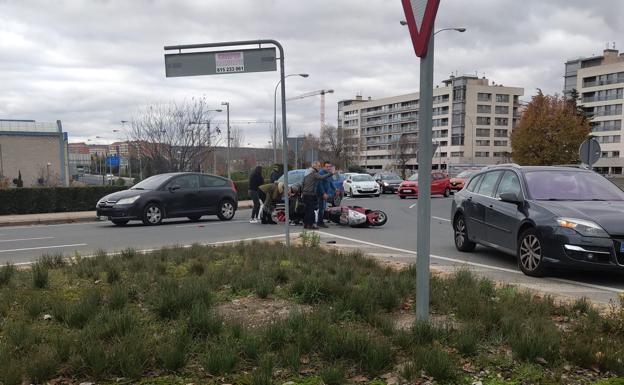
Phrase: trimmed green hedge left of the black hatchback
(52, 199)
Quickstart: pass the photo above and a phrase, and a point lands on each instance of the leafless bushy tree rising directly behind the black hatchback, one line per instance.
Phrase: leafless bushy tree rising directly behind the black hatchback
(174, 136)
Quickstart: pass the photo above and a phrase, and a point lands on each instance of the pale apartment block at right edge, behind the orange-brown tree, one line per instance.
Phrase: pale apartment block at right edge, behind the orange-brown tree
(599, 81)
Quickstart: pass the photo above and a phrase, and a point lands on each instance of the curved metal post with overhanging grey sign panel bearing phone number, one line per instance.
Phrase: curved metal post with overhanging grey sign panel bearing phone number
(241, 61)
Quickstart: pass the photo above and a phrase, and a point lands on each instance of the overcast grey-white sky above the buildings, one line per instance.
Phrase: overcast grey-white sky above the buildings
(92, 64)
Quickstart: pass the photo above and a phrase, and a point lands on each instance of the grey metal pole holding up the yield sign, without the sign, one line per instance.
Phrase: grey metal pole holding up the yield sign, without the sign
(424, 183)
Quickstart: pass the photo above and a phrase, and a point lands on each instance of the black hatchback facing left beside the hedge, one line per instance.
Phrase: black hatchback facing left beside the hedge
(172, 195)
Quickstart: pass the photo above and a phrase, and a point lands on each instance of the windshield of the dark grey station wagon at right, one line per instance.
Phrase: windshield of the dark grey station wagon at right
(571, 186)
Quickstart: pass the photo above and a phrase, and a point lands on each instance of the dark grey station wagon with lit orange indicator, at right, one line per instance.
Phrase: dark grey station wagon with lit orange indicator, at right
(547, 217)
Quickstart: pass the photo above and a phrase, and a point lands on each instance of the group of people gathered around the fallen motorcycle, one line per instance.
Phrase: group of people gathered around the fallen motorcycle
(305, 199)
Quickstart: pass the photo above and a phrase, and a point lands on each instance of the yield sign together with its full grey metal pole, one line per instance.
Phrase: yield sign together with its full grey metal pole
(420, 16)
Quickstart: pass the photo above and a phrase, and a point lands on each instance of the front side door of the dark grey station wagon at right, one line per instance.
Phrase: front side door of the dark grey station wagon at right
(503, 218)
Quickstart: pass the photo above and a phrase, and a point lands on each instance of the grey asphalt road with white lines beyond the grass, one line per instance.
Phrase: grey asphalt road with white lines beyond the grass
(396, 240)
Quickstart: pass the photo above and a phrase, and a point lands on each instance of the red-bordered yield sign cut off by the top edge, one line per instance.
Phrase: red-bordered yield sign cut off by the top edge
(420, 15)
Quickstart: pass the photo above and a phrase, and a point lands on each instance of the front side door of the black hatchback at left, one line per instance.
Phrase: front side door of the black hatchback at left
(182, 196)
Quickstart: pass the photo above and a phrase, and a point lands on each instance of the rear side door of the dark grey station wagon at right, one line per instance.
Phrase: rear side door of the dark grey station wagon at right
(483, 196)
